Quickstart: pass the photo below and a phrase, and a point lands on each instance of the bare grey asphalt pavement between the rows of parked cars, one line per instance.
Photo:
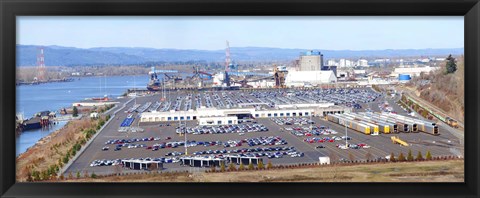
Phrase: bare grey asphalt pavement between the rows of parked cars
(381, 145)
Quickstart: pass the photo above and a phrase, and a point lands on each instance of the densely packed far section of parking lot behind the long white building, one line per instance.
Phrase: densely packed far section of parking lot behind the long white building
(181, 101)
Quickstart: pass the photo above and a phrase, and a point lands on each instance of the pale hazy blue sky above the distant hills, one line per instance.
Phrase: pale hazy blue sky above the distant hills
(210, 33)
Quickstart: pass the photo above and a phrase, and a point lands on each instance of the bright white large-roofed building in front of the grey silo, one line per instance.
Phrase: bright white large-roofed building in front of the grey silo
(310, 77)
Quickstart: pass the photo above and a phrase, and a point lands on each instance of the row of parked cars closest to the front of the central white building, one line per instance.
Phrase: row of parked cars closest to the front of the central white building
(239, 128)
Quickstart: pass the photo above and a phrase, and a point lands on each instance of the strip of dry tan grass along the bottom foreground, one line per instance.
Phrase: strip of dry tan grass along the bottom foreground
(423, 171)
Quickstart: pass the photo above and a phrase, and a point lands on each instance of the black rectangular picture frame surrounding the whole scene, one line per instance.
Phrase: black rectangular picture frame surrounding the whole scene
(9, 9)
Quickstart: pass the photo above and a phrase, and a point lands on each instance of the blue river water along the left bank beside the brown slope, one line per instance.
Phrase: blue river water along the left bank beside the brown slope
(53, 96)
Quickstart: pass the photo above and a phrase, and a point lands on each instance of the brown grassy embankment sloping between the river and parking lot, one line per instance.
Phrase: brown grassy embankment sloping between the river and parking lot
(43, 160)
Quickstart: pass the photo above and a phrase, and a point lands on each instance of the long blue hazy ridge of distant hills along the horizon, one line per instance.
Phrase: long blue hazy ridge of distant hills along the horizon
(69, 56)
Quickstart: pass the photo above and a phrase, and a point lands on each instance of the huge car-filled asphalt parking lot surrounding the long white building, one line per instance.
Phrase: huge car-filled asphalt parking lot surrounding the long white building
(272, 140)
